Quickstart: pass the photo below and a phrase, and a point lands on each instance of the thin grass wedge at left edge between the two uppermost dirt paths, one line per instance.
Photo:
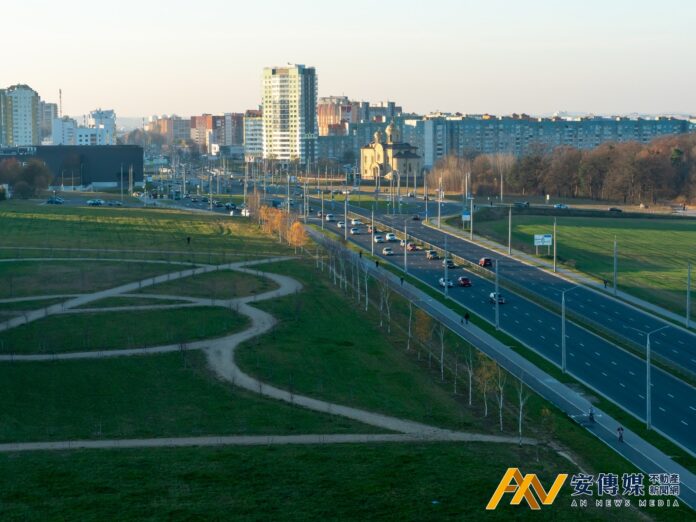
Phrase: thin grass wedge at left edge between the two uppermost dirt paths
(27, 278)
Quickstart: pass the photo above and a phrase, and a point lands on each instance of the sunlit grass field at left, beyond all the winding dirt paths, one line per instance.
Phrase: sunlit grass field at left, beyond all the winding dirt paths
(26, 224)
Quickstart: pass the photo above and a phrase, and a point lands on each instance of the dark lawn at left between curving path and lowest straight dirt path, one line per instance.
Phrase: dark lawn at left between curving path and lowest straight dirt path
(150, 396)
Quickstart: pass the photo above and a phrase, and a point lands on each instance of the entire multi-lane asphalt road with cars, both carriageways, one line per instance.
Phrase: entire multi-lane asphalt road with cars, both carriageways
(612, 371)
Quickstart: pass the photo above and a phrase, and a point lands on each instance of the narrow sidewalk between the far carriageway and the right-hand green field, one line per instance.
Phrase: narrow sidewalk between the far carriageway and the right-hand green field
(570, 275)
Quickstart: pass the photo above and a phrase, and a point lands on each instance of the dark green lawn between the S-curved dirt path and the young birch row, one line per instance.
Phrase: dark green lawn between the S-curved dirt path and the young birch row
(324, 348)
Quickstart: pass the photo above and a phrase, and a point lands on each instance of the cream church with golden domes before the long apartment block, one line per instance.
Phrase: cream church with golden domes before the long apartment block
(387, 158)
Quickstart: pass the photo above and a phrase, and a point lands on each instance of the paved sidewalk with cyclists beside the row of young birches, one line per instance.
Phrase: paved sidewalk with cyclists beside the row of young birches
(643, 455)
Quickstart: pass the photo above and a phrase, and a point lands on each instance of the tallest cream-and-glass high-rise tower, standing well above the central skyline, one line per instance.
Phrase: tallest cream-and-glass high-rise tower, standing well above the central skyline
(290, 113)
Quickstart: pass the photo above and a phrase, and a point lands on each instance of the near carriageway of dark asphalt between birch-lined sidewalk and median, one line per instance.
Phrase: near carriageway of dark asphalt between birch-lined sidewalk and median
(612, 371)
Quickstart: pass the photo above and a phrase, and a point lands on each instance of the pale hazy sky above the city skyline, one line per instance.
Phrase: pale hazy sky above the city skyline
(154, 57)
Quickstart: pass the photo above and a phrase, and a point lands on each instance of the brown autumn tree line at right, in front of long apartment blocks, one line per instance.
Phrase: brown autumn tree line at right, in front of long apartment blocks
(630, 173)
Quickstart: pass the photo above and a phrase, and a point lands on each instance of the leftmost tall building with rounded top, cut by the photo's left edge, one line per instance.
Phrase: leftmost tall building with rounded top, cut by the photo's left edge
(19, 105)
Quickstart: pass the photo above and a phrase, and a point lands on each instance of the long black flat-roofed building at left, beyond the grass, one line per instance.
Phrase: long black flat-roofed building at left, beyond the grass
(84, 164)
